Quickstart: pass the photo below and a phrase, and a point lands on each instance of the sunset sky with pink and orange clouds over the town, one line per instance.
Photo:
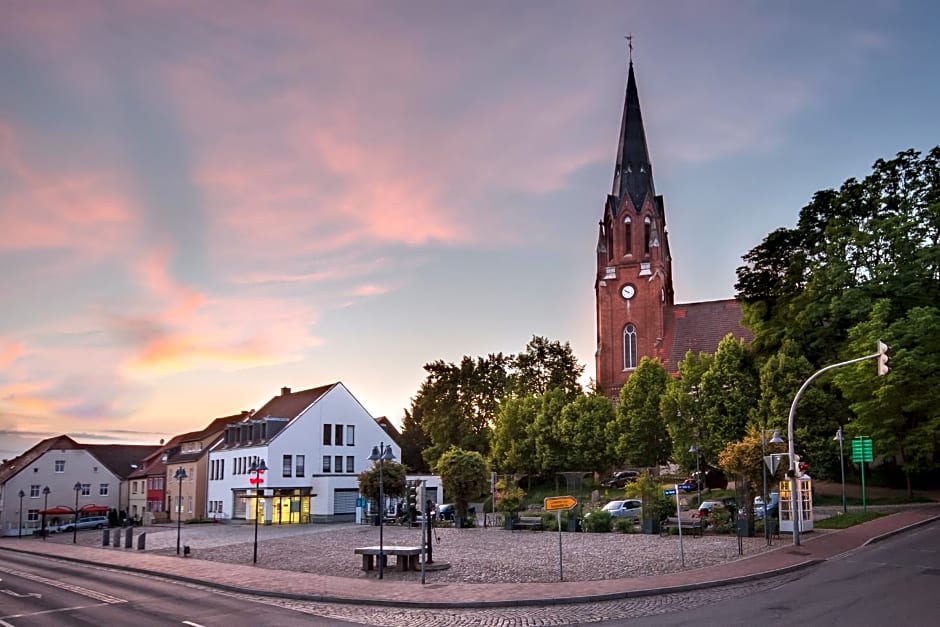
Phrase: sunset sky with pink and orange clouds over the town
(202, 202)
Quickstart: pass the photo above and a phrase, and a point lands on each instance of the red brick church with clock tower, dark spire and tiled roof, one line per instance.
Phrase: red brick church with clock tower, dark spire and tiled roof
(637, 314)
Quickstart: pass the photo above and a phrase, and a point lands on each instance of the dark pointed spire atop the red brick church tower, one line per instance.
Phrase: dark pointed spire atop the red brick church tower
(634, 173)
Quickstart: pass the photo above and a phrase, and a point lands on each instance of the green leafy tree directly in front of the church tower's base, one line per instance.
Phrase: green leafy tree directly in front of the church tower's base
(638, 433)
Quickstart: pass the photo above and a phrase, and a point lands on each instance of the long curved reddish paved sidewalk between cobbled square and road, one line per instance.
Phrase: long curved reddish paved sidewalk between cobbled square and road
(311, 587)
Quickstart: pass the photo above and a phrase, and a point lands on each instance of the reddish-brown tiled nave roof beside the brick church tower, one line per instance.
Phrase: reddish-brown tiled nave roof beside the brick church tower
(699, 327)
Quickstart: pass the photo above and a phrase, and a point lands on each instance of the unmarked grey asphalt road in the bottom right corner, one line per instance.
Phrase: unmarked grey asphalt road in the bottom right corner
(893, 582)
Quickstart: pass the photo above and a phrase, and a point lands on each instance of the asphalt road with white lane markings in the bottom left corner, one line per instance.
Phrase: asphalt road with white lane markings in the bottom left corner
(39, 591)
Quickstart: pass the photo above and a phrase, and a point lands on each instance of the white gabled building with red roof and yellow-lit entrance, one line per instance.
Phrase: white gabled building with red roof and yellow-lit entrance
(314, 443)
